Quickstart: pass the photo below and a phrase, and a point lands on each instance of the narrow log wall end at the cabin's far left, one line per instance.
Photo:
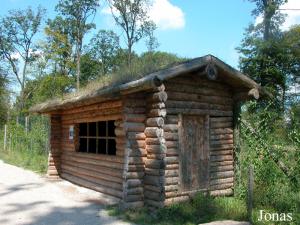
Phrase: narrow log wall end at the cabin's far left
(55, 147)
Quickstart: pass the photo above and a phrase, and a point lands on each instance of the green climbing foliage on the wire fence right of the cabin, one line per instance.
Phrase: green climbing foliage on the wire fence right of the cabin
(268, 143)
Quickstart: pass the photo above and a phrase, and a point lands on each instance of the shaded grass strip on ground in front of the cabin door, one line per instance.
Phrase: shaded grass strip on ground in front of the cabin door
(200, 209)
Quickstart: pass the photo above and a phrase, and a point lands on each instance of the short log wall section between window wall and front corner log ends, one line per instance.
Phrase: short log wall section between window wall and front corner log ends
(133, 141)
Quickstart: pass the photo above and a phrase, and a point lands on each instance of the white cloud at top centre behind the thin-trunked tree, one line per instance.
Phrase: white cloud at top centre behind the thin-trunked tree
(165, 15)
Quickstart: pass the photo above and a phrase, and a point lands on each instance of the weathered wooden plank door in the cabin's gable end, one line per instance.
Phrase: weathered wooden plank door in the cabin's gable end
(194, 152)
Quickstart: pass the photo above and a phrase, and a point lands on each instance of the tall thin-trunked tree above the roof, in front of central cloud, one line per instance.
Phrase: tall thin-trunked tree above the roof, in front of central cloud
(132, 17)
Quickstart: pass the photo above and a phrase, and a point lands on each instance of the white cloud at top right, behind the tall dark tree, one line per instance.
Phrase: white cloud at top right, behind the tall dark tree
(292, 16)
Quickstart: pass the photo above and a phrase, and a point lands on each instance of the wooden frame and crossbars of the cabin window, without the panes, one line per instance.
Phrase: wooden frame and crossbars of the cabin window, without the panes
(107, 137)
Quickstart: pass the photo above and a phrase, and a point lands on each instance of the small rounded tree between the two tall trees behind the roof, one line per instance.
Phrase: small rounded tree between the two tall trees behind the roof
(104, 47)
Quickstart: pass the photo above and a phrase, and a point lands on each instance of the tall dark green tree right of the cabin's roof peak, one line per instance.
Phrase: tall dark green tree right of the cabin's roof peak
(263, 54)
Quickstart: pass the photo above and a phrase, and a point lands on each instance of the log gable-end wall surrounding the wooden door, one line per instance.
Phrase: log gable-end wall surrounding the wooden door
(191, 94)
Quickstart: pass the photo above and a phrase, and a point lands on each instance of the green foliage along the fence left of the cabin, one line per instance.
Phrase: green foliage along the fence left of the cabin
(27, 149)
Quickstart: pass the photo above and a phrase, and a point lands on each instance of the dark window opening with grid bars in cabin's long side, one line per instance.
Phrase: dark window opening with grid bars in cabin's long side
(97, 137)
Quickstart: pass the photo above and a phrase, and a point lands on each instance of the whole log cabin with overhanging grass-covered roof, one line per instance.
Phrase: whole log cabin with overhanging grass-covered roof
(152, 141)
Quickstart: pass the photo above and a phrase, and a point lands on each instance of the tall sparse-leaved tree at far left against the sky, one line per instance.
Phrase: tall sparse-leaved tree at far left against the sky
(17, 31)
